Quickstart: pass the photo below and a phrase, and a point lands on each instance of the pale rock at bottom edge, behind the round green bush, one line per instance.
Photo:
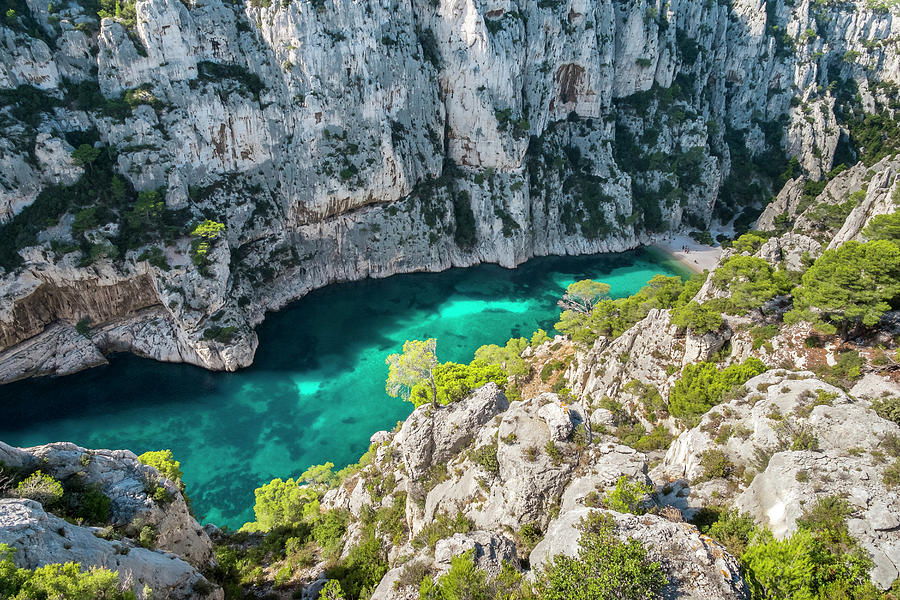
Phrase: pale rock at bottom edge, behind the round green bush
(696, 567)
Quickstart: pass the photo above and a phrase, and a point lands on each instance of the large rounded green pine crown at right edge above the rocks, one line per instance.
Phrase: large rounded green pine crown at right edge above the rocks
(848, 285)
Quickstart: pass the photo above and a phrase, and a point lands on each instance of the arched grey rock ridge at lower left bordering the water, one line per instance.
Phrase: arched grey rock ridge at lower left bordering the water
(129, 485)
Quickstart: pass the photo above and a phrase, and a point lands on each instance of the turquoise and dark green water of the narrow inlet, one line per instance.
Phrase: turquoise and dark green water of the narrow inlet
(316, 390)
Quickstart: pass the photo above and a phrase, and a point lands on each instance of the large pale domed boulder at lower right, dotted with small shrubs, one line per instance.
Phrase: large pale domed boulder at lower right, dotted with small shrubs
(789, 439)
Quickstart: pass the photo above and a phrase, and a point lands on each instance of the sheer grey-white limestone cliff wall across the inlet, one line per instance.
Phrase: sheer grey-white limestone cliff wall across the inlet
(338, 140)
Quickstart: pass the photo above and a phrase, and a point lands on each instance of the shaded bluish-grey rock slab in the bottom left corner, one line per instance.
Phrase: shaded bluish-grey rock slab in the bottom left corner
(39, 538)
